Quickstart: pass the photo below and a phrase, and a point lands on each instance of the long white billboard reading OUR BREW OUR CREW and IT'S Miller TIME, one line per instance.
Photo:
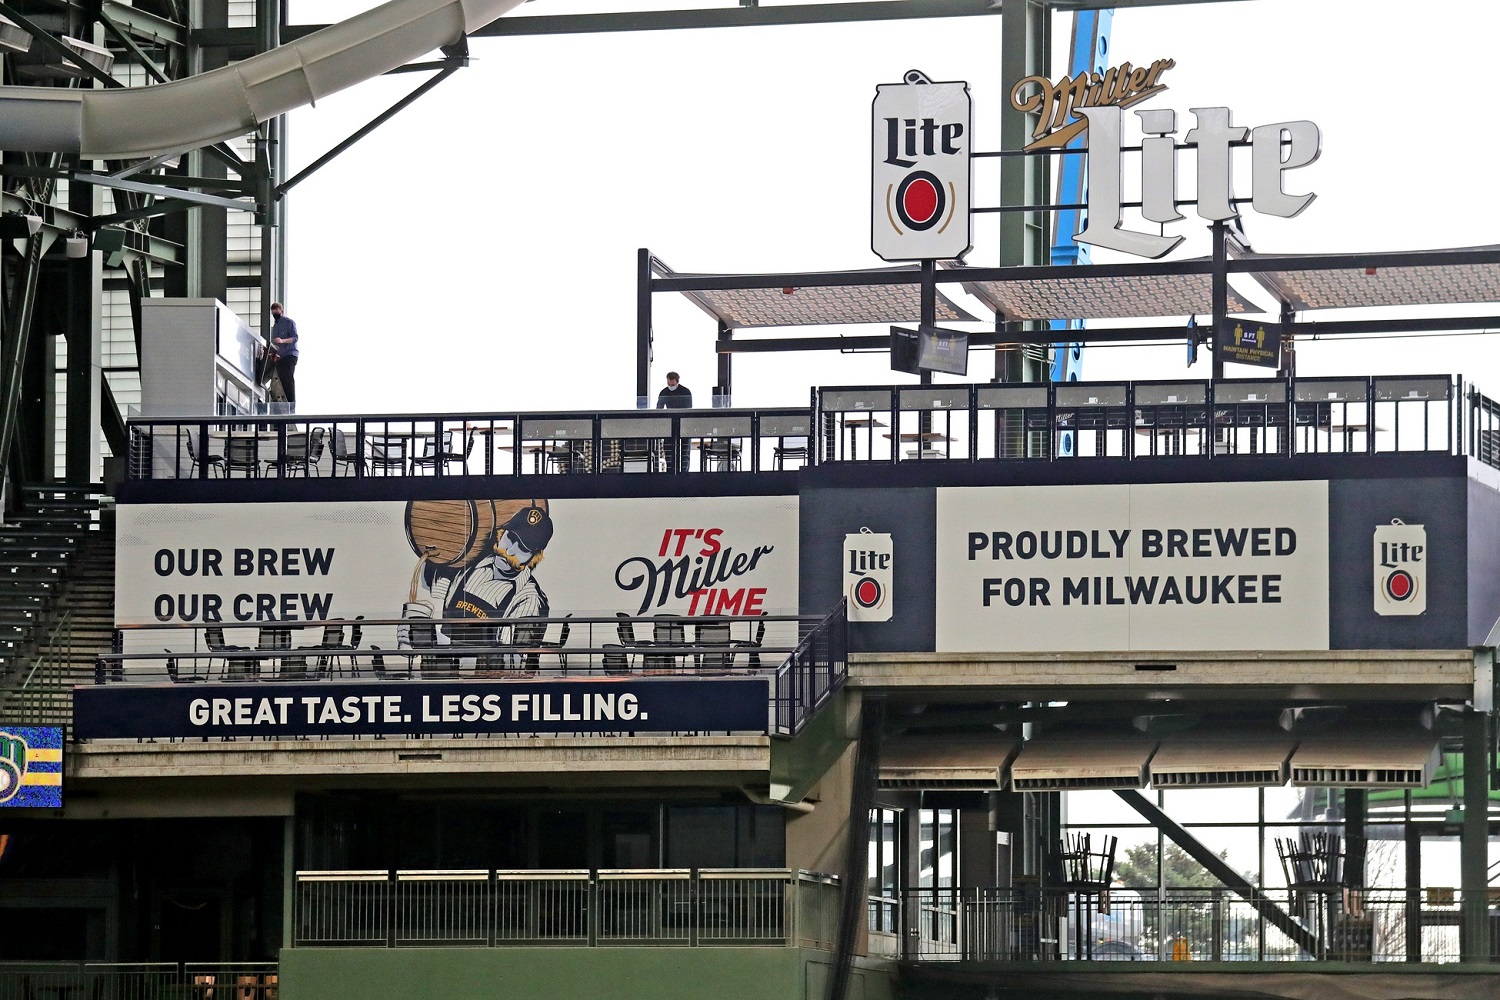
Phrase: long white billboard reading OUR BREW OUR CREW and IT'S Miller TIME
(494, 558)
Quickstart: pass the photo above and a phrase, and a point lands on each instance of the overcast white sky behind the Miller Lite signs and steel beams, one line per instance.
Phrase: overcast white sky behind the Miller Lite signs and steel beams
(479, 251)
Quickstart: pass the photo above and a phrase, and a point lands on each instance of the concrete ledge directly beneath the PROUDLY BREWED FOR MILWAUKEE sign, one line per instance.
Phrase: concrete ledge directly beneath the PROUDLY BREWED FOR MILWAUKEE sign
(1238, 674)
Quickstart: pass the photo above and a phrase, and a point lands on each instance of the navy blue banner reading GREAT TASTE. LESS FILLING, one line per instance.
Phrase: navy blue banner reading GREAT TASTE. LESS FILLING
(623, 705)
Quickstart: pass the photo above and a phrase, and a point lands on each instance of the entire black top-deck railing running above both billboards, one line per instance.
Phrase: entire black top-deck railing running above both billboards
(863, 424)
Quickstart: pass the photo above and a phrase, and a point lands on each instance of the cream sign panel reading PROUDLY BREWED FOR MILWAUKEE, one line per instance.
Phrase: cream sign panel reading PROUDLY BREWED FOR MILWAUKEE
(1202, 566)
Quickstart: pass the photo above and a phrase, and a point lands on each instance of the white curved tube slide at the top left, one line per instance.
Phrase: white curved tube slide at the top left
(140, 122)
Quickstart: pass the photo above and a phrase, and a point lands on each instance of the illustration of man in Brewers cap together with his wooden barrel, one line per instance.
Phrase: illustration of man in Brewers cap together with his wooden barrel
(475, 561)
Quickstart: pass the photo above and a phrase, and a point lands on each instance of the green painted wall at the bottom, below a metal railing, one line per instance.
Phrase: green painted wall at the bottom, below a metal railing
(547, 974)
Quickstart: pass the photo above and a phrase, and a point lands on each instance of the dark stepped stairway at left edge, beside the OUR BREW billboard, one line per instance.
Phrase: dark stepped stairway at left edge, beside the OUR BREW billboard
(56, 600)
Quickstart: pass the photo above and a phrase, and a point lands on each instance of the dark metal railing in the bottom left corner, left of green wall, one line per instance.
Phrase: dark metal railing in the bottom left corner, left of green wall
(139, 981)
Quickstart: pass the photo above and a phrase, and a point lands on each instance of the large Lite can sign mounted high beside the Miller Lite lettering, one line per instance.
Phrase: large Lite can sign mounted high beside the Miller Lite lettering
(920, 170)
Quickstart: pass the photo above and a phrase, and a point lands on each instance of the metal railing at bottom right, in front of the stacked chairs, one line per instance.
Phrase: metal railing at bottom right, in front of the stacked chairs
(1343, 926)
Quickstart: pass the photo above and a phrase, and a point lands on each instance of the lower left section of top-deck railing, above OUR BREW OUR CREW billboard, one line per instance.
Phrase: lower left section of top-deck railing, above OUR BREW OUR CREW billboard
(670, 442)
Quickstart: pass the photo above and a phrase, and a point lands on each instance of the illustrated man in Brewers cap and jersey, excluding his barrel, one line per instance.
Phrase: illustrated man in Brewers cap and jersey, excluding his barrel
(494, 590)
